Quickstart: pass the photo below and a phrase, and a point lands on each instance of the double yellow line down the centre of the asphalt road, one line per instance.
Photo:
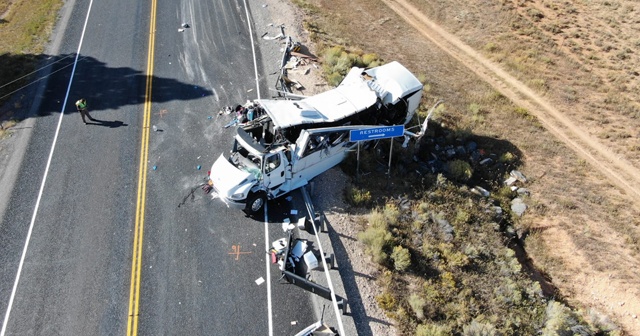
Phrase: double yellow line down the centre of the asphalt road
(136, 260)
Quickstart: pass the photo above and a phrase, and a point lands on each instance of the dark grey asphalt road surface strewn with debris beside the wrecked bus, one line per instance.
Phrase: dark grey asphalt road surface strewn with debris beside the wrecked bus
(76, 274)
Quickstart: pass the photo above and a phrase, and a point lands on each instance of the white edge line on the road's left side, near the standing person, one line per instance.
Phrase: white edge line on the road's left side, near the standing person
(44, 180)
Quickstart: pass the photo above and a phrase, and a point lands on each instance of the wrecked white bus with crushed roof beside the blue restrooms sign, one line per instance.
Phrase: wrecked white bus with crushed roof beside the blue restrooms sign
(297, 140)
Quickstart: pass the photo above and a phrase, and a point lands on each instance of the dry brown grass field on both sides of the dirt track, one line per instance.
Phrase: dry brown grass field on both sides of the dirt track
(582, 57)
